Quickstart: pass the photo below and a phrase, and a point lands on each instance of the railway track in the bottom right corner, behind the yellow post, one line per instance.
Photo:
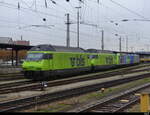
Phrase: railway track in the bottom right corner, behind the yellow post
(115, 103)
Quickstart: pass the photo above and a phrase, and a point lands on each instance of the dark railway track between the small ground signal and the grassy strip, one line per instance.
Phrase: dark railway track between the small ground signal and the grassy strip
(32, 101)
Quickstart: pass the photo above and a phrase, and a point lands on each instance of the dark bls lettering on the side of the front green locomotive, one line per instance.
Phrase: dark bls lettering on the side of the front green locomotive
(77, 61)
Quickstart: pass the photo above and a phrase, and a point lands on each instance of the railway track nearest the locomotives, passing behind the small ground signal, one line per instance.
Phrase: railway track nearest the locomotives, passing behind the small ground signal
(30, 85)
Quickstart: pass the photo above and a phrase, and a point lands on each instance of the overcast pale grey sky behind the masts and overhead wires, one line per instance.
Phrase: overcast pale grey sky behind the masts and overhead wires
(15, 22)
